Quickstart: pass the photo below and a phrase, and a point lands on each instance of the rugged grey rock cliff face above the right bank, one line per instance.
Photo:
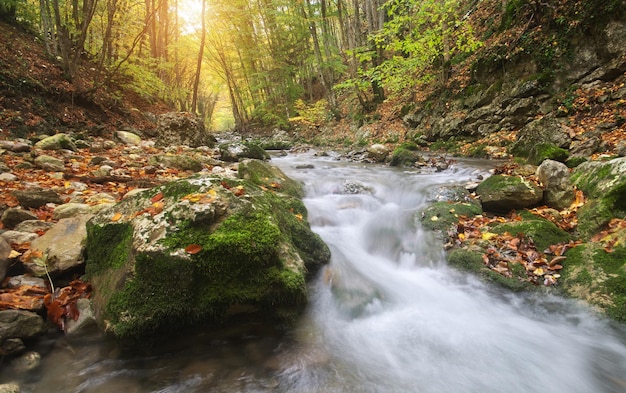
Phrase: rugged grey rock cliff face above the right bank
(513, 97)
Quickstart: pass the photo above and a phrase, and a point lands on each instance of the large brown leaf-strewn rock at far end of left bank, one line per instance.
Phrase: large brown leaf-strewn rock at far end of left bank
(181, 128)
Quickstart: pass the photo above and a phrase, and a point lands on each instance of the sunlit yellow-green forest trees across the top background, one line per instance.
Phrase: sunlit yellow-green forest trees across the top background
(266, 61)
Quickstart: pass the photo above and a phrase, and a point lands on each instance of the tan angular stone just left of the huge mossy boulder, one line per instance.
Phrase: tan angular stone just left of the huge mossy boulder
(62, 247)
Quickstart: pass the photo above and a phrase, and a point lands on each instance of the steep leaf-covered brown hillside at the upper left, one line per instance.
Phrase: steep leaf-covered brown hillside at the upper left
(36, 98)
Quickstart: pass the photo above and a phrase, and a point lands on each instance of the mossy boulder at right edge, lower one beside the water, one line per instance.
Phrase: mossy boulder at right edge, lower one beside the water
(598, 277)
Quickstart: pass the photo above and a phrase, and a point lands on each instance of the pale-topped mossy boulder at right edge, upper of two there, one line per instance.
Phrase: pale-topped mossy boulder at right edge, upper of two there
(604, 183)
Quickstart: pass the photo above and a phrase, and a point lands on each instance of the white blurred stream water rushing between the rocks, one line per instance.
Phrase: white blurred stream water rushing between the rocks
(387, 315)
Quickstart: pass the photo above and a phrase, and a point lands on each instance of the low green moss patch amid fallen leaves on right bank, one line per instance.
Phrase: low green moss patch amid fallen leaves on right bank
(543, 232)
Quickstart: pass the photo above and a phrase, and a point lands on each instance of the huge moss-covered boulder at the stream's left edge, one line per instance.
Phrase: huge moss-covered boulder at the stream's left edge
(203, 251)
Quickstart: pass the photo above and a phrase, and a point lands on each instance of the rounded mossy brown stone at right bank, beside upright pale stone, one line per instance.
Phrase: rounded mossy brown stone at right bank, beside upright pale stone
(500, 193)
